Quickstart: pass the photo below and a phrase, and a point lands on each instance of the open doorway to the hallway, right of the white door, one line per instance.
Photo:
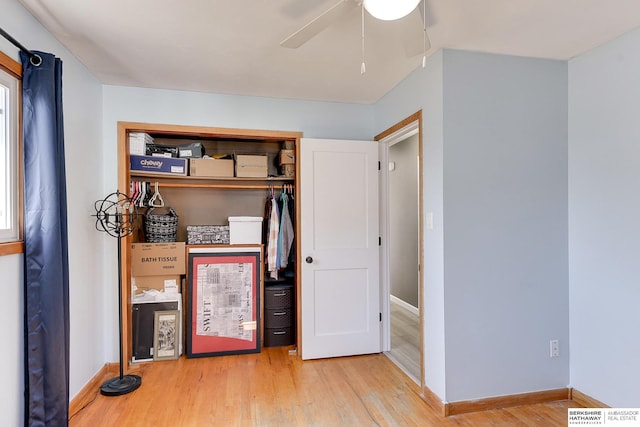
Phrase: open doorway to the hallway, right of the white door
(402, 249)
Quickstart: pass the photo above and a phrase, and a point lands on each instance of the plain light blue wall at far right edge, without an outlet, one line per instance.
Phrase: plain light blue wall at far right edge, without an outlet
(604, 221)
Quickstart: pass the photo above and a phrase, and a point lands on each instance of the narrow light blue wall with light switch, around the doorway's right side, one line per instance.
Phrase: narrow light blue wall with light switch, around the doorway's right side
(423, 90)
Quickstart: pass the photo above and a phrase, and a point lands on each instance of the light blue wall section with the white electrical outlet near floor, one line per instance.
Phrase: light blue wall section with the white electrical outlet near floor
(505, 207)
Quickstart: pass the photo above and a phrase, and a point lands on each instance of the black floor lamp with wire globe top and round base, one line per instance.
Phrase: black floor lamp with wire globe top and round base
(122, 384)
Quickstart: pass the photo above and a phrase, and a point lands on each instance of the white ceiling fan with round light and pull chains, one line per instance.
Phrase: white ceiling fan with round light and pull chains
(416, 42)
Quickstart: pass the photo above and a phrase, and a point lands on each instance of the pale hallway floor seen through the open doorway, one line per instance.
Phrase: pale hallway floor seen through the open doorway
(405, 340)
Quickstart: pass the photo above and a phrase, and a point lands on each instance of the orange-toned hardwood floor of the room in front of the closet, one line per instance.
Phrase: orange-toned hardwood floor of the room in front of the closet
(275, 389)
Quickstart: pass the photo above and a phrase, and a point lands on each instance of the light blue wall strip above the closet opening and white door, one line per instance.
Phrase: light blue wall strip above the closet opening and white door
(315, 119)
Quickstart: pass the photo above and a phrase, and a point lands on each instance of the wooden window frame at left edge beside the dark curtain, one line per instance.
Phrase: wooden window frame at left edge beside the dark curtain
(14, 69)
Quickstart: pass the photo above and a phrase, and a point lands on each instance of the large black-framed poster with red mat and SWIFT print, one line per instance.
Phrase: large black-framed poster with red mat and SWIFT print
(224, 286)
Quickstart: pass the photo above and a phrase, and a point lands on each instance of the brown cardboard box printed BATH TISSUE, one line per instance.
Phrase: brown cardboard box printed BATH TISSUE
(157, 259)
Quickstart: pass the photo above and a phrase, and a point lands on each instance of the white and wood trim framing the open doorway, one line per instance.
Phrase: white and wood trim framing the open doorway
(395, 133)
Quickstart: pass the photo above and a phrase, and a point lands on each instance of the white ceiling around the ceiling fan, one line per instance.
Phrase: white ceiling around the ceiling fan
(232, 46)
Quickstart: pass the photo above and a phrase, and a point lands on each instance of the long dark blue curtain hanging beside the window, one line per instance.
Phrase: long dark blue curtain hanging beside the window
(46, 275)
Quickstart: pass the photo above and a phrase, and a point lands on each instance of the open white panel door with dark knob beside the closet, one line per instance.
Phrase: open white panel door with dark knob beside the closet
(340, 290)
